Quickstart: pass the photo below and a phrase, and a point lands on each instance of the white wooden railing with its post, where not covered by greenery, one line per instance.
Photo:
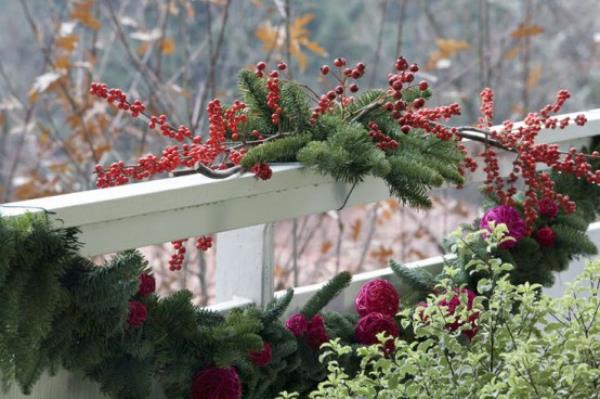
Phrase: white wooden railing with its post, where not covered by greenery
(239, 209)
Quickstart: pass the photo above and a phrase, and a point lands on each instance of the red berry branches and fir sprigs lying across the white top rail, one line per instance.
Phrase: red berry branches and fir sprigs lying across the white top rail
(275, 123)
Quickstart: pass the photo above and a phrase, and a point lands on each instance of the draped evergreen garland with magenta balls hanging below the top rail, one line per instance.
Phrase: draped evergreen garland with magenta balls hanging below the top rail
(62, 311)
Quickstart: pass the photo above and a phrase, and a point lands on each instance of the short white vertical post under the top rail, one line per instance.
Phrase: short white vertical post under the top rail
(245, 264)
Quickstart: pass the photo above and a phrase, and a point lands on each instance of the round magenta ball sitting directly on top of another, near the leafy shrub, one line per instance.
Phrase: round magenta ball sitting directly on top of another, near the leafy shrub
(377, 296)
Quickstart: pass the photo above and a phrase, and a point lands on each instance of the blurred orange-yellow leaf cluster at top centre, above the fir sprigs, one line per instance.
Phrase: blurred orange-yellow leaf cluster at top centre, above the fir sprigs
(274, 38)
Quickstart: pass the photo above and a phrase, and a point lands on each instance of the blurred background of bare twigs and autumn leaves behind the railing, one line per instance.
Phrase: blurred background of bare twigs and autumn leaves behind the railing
(178, 54)
